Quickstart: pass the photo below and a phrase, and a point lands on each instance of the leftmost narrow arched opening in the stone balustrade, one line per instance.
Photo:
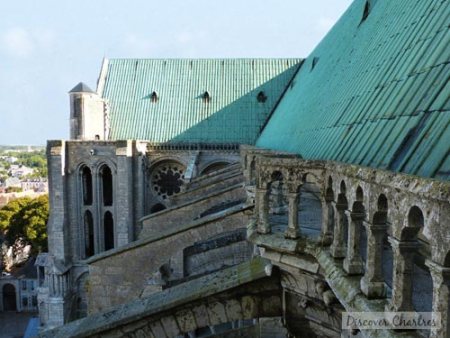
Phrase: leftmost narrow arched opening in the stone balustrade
(278, 204)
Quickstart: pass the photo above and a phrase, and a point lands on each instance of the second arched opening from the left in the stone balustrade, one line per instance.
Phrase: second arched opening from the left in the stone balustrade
(310, 207)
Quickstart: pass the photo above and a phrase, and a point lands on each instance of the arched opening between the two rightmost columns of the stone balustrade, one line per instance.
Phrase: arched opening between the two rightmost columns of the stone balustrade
(422, 283)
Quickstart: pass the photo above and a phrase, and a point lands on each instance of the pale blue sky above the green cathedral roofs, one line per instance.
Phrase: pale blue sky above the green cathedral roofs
(48, 46)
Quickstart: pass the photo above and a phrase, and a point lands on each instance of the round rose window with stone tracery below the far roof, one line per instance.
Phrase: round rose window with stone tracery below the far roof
(167, 179)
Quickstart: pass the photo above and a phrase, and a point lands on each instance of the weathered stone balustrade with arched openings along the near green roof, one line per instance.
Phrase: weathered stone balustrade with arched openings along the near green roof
(407, 215)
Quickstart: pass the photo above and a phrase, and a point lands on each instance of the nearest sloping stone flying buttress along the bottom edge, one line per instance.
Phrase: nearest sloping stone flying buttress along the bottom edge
(162, 308)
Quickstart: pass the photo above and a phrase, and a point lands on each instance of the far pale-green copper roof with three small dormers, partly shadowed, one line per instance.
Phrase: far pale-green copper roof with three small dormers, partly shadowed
(165, 100)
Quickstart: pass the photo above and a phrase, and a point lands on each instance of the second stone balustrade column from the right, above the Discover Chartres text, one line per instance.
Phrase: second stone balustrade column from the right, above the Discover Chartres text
(403, 263)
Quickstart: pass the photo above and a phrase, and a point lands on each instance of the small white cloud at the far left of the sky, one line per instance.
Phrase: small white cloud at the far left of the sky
(19, 42)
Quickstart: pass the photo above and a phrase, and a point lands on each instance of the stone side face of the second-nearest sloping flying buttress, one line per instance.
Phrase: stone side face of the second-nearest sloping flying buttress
(131, 259)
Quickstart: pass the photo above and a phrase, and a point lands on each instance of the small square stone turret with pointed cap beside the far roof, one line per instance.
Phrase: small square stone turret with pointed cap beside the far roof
(86, 114)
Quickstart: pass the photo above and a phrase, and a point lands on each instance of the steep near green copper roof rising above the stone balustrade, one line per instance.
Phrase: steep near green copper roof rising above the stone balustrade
(375, 92)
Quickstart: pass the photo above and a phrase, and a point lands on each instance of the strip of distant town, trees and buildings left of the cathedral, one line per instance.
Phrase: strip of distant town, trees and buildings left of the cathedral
(23, 217)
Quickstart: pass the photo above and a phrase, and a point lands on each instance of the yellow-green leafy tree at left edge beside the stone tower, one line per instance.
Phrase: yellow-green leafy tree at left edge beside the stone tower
(24, 220)
